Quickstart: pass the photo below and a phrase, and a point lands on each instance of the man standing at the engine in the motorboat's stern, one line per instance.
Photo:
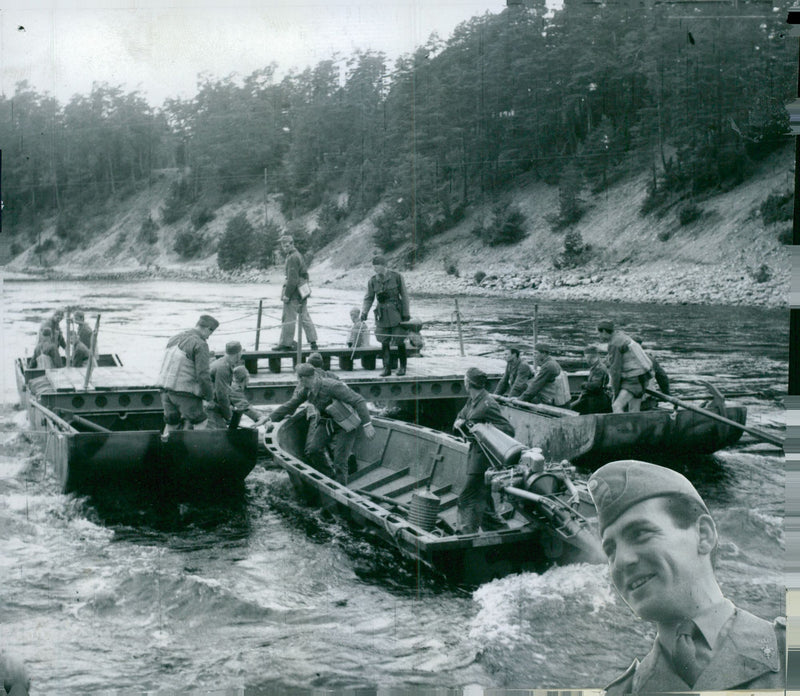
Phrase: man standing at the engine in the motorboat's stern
(475, 503)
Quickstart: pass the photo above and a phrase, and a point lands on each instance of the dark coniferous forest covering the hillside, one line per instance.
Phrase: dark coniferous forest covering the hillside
(692, 93)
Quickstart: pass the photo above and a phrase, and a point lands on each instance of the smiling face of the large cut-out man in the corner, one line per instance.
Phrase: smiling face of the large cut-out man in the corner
(654, 564)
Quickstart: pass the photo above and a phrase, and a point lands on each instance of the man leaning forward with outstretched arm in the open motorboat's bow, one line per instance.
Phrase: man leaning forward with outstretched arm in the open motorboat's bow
(341, 411)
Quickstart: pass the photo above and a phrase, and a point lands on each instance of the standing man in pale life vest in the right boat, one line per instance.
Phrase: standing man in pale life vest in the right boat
(628, 366)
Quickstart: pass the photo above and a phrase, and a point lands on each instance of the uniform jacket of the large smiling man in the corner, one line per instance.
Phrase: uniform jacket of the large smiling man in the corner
(750, 655)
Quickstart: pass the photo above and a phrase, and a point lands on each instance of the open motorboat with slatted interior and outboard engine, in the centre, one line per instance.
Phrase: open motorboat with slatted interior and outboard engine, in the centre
(409, 451)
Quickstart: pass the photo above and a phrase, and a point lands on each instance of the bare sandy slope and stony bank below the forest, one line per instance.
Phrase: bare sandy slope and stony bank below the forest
(715, 259)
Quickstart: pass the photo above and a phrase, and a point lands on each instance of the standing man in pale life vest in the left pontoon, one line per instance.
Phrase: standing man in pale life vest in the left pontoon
(184, 378)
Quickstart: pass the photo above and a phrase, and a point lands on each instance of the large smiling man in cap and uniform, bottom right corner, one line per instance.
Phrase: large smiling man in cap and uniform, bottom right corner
(660, 540)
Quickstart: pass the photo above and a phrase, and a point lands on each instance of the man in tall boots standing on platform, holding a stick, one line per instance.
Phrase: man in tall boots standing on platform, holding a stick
(389, 289)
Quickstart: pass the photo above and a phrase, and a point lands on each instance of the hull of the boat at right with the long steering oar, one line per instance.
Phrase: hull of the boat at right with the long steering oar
(595, 438)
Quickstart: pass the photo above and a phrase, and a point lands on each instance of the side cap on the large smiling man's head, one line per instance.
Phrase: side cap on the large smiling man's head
(620, 485)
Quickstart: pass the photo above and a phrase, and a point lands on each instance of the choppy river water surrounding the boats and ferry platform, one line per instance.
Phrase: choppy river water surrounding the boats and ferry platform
(258, 593)
